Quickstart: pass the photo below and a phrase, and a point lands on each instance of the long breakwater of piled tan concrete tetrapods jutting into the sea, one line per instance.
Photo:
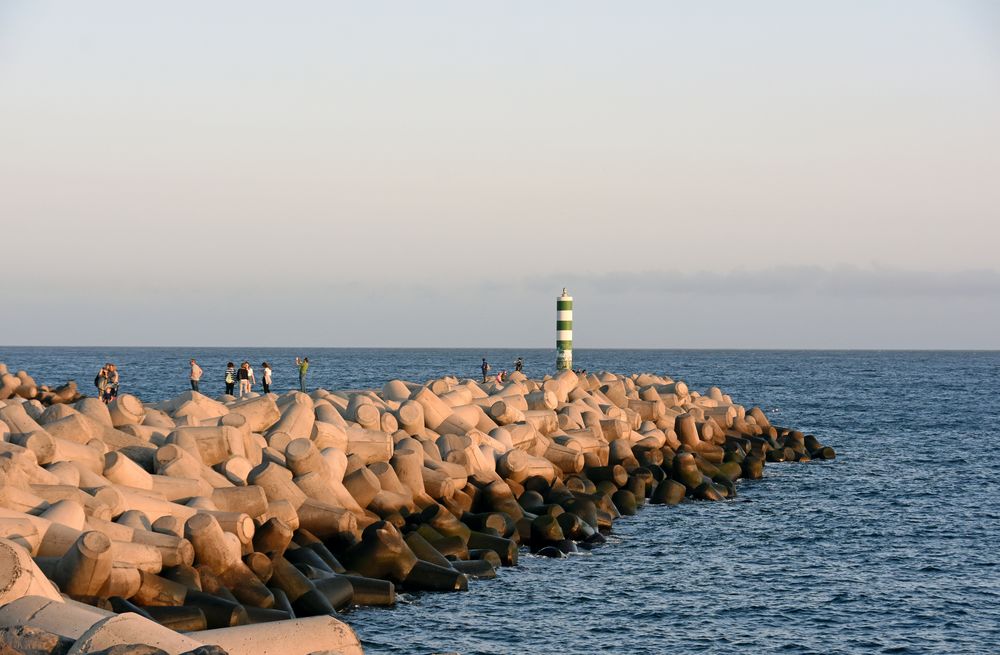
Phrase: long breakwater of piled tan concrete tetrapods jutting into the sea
(212, 525)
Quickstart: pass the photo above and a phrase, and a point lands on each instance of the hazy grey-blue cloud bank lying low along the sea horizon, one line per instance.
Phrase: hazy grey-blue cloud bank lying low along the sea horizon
(790, 307)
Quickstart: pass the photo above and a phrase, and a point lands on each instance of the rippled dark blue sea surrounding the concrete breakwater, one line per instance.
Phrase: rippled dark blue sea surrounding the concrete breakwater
(890, 548)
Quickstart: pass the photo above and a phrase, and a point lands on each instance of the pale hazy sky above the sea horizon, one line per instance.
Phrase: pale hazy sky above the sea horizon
(710, 174)
